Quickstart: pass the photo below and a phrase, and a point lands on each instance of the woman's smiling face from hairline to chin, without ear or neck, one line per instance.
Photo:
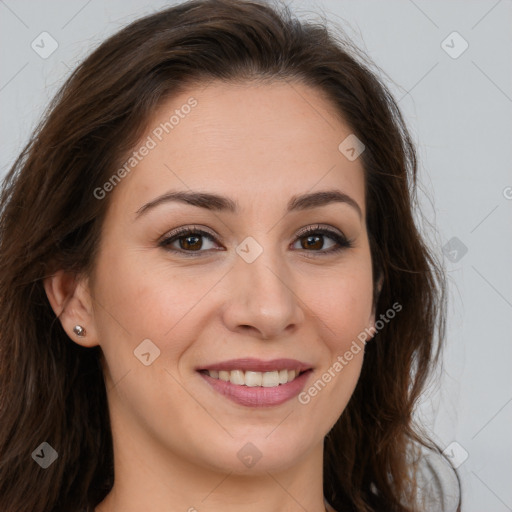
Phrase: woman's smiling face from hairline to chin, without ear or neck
(246, 284)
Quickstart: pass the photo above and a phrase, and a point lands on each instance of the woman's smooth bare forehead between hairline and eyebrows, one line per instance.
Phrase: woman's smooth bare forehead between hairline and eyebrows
(258, 143)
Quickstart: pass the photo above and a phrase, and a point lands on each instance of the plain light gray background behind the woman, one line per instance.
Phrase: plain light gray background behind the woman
(459, 112)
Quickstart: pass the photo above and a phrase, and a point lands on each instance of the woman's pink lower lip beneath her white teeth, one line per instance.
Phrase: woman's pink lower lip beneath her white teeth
(258, 396)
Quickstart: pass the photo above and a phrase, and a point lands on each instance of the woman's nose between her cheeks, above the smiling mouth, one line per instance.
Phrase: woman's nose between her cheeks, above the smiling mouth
(262, 298)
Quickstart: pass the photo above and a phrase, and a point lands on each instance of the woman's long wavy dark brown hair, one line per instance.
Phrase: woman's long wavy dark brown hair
(52, 389)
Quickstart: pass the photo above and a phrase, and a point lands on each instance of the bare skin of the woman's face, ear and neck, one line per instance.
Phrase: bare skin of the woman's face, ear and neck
(176, 440)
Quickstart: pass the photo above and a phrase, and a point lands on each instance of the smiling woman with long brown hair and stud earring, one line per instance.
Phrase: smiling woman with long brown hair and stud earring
(213, 292)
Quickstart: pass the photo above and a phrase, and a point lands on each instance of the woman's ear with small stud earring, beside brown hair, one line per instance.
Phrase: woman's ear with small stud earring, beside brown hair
(71, 301)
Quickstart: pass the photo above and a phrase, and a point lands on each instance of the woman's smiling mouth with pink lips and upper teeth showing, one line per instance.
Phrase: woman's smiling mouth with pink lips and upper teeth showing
(256, 383)
